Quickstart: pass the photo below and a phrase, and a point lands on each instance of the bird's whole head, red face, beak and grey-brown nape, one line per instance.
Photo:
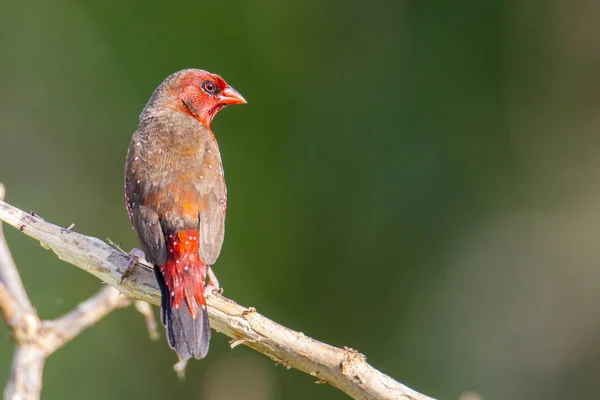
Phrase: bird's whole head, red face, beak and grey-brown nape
(195, 92)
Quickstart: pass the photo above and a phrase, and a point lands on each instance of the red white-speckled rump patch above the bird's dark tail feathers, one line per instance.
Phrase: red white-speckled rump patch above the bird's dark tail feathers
(184, 272)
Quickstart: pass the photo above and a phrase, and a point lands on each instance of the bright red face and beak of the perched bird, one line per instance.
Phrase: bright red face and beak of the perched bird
(202, 94)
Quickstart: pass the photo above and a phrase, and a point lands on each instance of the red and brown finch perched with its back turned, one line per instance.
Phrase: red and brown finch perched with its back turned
(176, 199)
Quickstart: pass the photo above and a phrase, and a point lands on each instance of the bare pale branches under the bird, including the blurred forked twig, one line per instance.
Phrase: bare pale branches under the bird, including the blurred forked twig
(34, 339)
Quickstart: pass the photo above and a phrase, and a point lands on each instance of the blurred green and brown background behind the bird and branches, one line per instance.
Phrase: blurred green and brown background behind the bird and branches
(416, 180)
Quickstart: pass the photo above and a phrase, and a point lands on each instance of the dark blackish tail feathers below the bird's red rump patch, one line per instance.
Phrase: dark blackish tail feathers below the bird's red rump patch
(188, 336)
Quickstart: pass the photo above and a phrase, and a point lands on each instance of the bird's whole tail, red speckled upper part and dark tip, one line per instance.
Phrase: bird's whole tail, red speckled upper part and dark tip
(183, 308)
